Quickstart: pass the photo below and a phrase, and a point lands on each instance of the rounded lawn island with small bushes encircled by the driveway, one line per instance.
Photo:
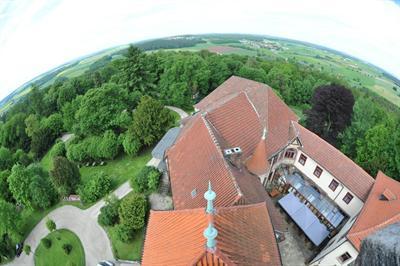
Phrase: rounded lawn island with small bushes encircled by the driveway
(55, 255)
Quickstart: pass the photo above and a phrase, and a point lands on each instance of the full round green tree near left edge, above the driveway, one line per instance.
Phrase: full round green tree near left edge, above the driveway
(31, 186)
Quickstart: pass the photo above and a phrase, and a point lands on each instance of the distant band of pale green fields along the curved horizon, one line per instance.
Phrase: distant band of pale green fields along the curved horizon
(355, 72)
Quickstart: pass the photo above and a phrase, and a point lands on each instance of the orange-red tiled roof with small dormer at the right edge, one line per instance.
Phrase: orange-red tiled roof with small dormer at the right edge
(377, 212)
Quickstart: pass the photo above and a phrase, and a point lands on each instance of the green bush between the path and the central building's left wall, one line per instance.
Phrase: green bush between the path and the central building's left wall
(146, 180)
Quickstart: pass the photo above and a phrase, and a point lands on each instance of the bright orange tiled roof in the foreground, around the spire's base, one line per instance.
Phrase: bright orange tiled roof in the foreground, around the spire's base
(245, 237)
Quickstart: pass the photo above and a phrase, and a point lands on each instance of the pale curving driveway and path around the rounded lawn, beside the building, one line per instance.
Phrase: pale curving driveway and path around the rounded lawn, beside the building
(83, 223)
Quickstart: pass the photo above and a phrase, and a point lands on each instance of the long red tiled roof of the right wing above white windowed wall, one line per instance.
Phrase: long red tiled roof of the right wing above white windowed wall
(334, 161)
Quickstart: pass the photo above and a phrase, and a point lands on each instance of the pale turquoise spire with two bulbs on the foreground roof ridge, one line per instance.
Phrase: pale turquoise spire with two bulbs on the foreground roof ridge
(210, 233)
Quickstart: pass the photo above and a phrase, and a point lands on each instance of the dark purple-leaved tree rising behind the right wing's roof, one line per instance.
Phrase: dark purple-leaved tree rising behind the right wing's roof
(331, 111)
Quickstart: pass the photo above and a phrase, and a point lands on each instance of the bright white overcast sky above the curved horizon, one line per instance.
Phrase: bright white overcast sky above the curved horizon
(38, 35)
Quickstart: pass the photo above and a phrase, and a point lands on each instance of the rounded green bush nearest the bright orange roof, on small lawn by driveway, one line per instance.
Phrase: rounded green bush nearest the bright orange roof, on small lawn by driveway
(132, 211)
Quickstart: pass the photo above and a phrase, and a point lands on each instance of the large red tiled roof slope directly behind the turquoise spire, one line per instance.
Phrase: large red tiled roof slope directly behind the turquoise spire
(193, 161)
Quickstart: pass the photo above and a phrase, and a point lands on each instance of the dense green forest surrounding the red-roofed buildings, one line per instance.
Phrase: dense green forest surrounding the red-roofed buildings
(118, 107)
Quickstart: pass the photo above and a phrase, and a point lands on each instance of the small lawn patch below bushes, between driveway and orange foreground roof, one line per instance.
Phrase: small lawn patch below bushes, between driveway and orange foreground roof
(126, 251)
